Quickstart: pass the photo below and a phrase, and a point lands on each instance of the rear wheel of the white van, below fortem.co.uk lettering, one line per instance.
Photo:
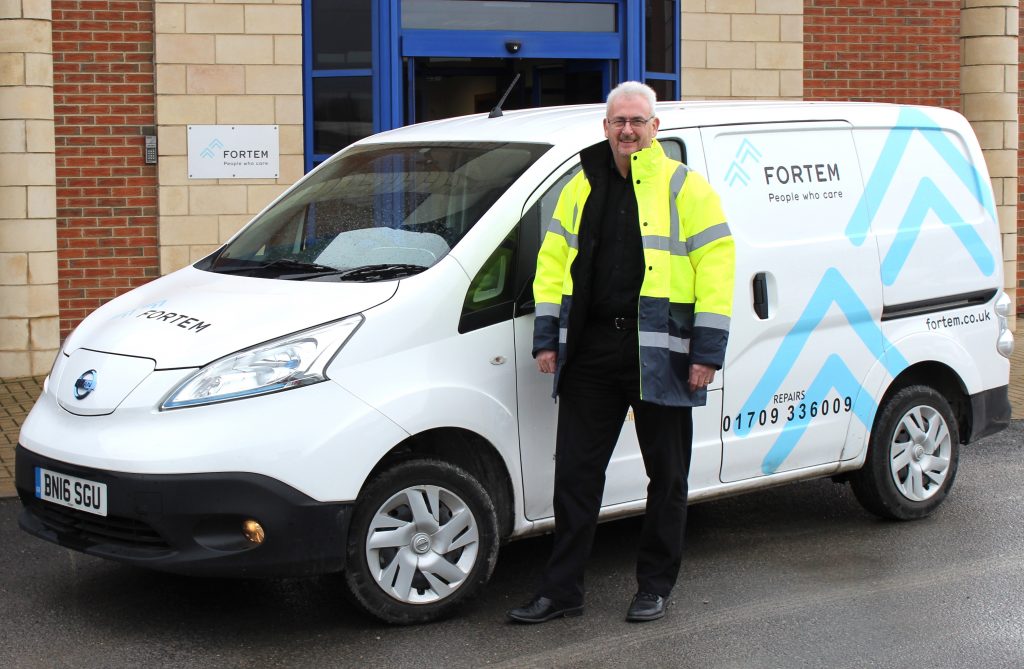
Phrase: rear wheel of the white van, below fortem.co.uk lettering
(912, 458)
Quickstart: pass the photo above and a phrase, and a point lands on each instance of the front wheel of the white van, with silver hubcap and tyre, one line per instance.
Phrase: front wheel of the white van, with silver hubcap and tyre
(423, 540)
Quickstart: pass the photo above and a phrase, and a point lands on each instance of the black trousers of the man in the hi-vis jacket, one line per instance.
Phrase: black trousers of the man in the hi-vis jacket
(599, 387)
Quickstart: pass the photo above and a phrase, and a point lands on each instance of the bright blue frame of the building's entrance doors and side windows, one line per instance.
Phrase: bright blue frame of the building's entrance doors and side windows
(391, 45)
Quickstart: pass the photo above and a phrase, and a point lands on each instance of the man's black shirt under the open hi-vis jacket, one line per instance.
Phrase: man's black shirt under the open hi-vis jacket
(619, 265)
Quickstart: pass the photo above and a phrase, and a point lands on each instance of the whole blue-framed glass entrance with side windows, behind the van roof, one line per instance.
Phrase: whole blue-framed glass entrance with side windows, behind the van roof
(376, 65)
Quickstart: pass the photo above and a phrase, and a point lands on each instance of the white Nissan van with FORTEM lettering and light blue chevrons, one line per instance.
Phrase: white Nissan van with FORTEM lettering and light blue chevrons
(348, 384)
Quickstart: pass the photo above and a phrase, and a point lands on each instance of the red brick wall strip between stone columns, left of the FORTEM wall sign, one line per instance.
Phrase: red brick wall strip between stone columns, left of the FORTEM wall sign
(107, 196)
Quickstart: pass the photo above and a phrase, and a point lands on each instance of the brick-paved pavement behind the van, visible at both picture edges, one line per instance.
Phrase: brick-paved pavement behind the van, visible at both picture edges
(18, 396)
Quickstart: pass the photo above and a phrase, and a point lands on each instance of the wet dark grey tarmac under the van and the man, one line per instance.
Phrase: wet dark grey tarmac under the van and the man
(793, 577)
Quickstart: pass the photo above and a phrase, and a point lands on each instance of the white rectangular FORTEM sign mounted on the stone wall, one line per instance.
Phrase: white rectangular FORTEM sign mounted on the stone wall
(234, 152)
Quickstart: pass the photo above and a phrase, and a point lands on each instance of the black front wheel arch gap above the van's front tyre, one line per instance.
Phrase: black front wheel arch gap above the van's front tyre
(466, 450)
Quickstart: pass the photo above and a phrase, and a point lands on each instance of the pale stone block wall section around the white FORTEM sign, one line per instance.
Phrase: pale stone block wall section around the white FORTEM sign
(217, 65)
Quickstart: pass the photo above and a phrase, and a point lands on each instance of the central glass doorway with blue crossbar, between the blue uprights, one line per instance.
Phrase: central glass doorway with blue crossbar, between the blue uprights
(460, 57)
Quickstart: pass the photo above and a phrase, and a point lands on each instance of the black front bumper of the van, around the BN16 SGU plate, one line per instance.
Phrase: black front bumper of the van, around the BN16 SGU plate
(191, 524)
